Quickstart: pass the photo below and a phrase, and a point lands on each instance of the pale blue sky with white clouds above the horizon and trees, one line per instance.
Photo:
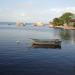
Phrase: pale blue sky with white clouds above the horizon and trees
(34, 10)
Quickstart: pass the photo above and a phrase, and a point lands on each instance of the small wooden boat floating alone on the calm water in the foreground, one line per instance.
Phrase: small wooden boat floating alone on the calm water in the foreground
(51, 43)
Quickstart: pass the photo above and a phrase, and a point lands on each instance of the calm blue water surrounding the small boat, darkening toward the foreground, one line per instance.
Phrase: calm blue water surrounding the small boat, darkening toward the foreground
(21, 59)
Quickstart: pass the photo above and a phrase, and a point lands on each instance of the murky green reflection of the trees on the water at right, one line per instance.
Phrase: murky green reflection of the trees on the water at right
(68, 35)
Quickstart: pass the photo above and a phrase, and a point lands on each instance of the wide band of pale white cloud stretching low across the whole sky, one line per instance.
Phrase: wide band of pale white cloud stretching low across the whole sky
(34, 15)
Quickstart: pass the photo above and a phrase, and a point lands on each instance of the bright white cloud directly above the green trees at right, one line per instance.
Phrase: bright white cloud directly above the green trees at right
(56, 12)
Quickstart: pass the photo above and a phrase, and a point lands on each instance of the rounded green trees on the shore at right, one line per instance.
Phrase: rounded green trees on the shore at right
(64, 19)
